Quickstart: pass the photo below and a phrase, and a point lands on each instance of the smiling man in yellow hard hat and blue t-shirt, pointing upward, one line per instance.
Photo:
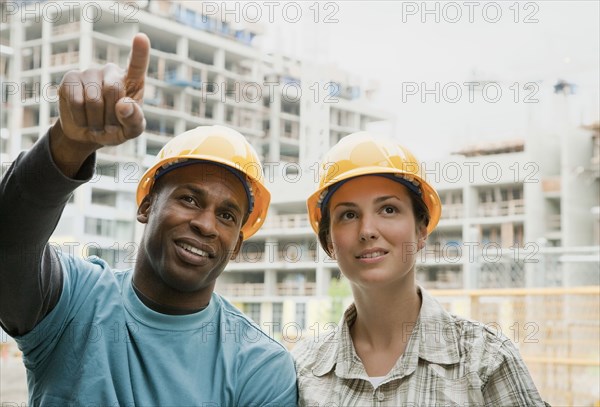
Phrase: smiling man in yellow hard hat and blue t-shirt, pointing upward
(157, 334)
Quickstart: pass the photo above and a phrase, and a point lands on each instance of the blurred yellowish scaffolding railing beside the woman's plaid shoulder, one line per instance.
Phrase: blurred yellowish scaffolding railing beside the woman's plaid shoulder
(556, 329)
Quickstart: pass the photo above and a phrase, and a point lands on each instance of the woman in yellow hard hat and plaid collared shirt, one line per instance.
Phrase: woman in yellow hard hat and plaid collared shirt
(395, 345)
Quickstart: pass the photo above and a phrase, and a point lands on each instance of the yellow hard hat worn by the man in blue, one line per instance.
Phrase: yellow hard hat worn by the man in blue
(222, 146)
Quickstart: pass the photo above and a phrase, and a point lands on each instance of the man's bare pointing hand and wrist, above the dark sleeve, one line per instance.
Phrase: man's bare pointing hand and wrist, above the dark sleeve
(99, 107)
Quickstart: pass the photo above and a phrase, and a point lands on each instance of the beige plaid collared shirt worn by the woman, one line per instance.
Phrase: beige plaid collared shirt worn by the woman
(448, 361)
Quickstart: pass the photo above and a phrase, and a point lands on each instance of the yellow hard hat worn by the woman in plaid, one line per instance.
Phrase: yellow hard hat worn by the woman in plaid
(363, 153)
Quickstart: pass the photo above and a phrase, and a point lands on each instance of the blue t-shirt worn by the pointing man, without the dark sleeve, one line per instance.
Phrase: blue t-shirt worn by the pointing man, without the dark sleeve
(101, 346)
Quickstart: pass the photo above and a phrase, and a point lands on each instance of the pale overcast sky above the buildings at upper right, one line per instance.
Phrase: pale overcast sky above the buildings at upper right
(402, 46)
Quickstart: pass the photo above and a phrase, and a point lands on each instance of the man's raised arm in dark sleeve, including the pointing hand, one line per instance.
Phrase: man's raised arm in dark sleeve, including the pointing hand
(97, 107)
